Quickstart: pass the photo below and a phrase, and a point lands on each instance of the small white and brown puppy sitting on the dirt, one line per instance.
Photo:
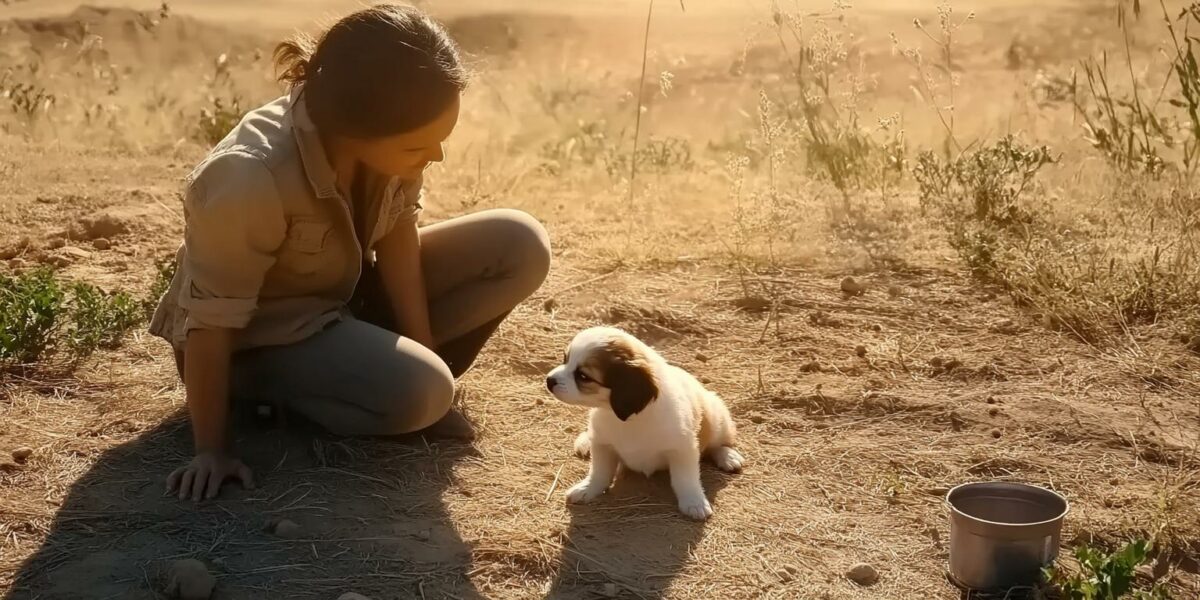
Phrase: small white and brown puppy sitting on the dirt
(647, 416)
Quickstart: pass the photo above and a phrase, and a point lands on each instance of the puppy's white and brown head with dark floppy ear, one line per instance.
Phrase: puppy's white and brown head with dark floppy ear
(605, 368)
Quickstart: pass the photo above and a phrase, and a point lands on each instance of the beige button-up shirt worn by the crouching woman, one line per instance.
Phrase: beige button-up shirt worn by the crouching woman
(271, 248)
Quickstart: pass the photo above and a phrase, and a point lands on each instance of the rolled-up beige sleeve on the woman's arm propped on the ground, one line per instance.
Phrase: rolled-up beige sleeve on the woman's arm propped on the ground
(235, 227)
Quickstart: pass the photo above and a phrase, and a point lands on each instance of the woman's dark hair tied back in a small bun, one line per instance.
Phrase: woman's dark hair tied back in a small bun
(381, 71)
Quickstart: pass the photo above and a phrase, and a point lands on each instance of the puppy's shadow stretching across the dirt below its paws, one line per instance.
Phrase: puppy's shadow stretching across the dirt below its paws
(633, 541)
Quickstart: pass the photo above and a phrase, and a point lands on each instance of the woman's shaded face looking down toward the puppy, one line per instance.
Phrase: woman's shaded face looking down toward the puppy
(406, 155)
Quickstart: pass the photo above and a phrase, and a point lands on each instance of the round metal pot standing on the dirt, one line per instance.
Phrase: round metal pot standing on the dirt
(1003, 535)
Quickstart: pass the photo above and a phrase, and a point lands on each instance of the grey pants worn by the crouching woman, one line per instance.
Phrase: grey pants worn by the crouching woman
(359, 377)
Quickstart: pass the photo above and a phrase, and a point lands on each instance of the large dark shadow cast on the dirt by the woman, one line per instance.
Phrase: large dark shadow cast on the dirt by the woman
(364, 517)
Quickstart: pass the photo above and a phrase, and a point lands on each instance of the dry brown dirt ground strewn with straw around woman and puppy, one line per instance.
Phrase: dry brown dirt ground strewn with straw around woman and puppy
(856, 413)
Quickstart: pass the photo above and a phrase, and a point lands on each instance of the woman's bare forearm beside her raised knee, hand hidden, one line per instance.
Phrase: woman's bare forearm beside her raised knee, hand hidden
(399, 256)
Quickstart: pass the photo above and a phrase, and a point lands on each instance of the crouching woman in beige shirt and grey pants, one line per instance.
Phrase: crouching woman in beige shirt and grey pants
(304, 280)
